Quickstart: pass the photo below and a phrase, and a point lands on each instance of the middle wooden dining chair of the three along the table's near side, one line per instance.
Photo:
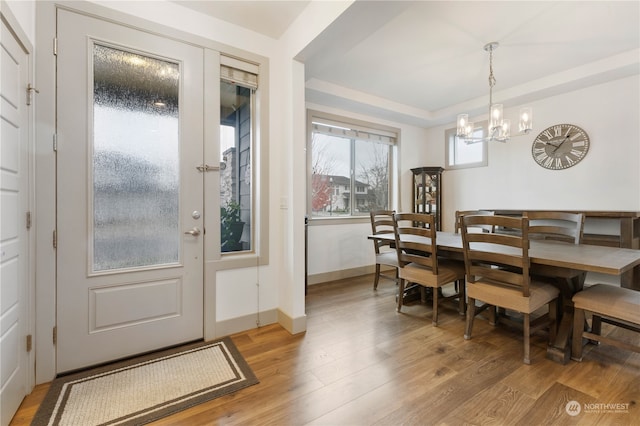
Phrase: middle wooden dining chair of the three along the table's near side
(417, 252)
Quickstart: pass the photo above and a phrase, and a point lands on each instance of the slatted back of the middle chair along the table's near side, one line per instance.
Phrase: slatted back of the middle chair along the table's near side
(415, 237)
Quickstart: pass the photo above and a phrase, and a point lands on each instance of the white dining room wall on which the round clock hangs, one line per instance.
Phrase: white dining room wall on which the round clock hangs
(608, 178)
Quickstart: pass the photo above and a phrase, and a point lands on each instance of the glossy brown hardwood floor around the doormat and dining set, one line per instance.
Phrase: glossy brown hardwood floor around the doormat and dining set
(361, 363)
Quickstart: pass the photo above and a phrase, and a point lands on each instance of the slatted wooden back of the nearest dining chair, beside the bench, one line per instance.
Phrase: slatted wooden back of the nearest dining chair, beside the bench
(502, 258)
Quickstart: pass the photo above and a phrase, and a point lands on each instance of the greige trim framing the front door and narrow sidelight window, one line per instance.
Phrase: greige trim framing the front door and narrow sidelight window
(45, 173)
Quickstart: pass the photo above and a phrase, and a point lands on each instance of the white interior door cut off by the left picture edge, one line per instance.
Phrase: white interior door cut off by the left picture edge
(14, 181)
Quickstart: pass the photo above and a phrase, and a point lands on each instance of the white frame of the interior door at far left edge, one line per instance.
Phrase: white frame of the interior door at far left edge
(14, 26)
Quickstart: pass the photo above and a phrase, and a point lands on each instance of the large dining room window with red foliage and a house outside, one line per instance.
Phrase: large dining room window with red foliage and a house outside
(351, 166)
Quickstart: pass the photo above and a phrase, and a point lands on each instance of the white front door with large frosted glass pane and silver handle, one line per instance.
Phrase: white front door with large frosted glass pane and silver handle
(129, 194)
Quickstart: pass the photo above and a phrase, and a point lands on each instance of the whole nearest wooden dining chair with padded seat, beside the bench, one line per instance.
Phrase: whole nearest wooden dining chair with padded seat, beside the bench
(497, 267)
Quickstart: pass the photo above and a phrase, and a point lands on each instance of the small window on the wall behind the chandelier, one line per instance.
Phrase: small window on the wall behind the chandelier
(460, 155)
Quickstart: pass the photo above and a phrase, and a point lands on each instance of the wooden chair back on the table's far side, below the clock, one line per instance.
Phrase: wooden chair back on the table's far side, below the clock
(554, 225)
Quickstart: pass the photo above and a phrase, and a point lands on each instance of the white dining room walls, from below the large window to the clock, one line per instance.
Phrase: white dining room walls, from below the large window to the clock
(608, 178)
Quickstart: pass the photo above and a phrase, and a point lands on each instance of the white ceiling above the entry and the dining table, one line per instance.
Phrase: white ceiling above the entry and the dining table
(422, 62)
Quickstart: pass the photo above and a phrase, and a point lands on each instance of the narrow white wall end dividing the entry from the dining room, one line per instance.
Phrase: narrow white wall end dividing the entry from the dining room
(288, 159)
